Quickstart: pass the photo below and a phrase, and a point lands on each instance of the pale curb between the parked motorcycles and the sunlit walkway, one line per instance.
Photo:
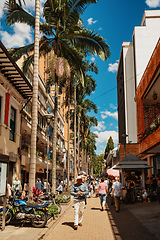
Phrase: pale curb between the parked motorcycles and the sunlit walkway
(52, 222)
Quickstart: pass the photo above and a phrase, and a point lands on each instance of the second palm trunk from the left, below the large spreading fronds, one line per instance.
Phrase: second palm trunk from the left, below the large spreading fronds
(55, 138)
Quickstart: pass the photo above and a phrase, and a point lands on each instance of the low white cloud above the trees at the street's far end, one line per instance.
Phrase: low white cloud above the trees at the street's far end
(104, 136)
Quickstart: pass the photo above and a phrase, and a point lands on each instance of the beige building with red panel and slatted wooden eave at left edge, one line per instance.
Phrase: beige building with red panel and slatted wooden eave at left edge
(14, 90)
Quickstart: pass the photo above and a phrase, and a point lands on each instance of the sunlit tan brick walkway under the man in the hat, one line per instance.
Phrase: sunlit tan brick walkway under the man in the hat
(96, 225)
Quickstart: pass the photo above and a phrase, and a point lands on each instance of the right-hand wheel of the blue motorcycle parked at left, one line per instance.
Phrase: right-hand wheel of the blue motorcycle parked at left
(40, 218)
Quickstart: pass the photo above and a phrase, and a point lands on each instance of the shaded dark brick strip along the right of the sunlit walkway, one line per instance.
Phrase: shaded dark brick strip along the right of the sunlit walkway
(126, 226)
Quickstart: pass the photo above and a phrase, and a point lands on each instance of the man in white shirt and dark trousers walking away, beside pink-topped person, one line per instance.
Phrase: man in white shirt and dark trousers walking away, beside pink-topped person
(117, 193)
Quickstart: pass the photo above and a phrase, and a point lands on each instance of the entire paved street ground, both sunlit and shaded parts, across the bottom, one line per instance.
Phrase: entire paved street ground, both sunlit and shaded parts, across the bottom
(133, 222)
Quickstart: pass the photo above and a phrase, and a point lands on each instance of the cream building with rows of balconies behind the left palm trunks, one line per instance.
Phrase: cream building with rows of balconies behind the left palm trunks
(45, 106)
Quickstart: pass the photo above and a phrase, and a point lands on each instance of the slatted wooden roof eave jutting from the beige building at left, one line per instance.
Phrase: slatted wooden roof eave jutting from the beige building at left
(14, 75)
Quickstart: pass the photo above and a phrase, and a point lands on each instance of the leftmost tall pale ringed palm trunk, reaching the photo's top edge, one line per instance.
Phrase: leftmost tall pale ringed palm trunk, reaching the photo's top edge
(32, 166)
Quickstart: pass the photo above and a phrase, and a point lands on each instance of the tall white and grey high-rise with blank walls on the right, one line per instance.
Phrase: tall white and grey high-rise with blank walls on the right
(132, 63)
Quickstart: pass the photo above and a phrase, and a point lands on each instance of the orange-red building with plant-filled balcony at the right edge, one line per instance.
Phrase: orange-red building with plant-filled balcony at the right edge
(148, 110)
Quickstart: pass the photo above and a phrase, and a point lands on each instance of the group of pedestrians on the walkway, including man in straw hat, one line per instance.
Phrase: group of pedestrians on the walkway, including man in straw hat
(94, 187)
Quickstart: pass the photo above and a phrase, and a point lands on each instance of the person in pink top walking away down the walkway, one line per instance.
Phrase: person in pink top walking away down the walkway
(102, 190)
